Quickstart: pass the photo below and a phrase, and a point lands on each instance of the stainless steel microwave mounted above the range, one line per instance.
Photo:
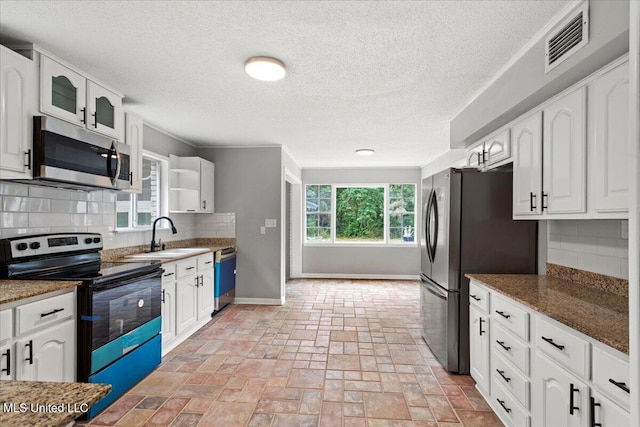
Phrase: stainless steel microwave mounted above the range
(65, 155)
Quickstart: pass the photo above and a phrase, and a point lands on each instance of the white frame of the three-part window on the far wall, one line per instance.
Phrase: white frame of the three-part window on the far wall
(383, 243)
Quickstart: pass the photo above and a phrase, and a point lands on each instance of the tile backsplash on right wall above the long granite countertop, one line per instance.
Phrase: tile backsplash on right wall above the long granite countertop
(598, 246)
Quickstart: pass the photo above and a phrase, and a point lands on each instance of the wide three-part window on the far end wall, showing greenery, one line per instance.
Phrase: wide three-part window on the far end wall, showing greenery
(383, 214)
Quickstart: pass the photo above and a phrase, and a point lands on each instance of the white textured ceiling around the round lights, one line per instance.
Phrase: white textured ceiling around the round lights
(384, 75)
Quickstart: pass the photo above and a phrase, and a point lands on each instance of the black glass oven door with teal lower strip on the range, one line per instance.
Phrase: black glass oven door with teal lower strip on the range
(115, 318)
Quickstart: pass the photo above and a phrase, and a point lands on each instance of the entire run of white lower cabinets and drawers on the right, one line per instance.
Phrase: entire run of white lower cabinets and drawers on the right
(556, 378)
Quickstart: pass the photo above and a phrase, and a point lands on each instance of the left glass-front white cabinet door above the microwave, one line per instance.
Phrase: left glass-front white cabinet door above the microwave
(63, 92)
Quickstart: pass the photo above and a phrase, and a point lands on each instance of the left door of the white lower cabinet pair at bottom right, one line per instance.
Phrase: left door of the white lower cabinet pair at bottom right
(560, 398)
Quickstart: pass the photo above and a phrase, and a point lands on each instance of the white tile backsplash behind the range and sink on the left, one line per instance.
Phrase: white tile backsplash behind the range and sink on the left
(32, 209)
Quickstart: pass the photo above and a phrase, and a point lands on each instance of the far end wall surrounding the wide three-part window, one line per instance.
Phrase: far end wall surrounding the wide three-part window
(379, 261)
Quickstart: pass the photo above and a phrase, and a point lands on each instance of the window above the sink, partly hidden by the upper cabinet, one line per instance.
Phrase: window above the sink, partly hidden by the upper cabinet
(139, 210)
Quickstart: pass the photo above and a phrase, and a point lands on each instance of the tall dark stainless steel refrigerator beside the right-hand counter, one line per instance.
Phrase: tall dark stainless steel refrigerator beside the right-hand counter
(467, 229)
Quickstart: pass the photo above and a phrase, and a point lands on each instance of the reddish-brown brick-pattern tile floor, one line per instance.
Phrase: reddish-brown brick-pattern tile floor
(338, 353)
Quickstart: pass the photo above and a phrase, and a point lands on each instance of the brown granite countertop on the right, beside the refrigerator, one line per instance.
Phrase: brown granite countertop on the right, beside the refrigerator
(597, 313)
